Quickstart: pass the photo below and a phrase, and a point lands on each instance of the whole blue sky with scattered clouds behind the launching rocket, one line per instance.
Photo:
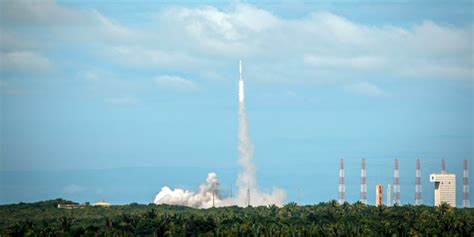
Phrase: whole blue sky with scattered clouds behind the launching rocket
(113, 100)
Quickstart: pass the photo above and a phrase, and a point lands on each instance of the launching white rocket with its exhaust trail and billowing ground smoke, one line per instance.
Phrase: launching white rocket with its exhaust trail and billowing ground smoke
(208, 194)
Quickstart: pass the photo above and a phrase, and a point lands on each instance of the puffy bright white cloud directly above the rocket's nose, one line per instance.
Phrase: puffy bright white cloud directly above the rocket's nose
(210, 31)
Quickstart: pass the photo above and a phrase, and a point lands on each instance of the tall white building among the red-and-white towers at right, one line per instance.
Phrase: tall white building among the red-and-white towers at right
(445, 188)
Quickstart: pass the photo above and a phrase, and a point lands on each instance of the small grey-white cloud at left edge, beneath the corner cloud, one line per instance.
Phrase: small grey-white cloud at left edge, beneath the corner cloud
(23, 61)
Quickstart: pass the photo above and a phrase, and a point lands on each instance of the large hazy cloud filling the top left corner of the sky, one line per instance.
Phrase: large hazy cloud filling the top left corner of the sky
(47, 25)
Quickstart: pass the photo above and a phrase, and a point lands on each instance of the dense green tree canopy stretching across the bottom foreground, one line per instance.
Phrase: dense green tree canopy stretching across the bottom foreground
(324, 219)
